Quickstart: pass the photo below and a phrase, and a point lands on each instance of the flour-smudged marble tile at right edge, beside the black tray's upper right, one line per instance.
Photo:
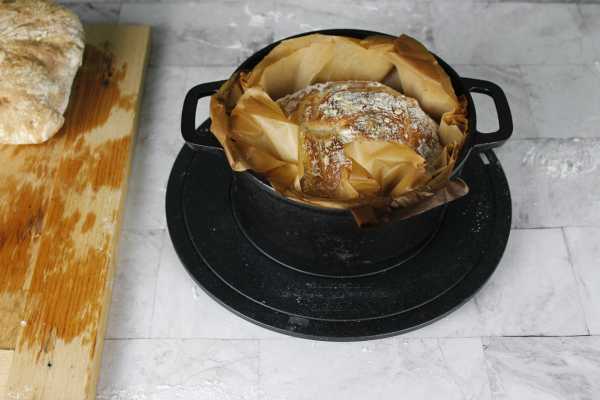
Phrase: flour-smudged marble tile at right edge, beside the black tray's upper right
(553, 181)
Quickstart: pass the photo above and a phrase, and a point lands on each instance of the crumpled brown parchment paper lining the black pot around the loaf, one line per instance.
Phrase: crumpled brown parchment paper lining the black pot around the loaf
(256, 134)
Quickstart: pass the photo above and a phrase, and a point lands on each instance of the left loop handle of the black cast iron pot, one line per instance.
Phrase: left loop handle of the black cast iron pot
(199, 138)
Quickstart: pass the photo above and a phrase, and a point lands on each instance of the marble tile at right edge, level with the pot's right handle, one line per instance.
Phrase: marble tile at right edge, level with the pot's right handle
(565, 100)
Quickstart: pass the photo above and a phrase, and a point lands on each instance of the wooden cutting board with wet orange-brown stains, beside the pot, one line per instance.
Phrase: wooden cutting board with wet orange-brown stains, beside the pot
(61, 205)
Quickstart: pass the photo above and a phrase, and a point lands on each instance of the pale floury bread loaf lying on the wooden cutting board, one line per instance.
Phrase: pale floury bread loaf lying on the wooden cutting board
(41, 49)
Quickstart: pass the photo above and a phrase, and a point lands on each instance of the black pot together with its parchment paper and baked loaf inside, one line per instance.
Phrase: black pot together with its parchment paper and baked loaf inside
(390, 147)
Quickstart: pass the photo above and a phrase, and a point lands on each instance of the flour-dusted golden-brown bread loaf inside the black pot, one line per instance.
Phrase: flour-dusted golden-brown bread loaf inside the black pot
(332, 115)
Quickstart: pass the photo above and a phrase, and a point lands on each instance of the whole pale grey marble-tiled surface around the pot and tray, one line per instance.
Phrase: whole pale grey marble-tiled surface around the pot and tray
(533, 332)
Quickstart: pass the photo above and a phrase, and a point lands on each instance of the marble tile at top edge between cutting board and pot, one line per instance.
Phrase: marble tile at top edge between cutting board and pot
(204, 33)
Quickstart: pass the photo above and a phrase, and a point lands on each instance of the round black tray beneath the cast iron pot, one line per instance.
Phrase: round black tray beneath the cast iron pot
(446, 272)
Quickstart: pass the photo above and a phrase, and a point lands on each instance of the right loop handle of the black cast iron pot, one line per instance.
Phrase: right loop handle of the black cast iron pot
(485, 141)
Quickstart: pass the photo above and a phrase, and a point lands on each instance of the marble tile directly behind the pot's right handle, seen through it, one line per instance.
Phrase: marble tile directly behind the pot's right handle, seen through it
(510, 79)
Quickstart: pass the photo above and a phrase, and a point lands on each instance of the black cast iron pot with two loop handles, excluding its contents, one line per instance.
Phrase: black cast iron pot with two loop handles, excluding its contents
(327, 242)
